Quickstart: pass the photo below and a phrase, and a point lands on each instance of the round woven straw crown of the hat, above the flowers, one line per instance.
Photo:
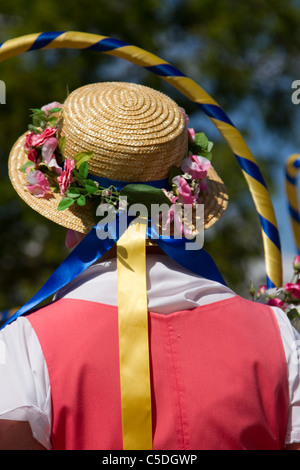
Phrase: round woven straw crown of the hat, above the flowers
(135, 132)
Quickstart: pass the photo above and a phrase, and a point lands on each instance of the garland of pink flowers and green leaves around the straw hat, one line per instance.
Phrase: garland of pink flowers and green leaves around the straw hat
(49, 170)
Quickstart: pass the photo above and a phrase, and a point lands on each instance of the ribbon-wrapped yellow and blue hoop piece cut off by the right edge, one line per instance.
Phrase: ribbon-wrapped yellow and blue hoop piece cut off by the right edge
(292, 168)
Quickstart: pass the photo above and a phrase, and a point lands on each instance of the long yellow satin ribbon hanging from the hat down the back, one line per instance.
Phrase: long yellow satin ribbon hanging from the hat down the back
(133, 339)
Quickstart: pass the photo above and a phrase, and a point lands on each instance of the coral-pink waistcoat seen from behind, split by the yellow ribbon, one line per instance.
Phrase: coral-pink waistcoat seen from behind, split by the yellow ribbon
(219, 376)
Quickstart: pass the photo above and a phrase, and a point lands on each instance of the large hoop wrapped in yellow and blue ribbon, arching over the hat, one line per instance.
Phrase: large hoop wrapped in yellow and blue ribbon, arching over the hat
(169, 73)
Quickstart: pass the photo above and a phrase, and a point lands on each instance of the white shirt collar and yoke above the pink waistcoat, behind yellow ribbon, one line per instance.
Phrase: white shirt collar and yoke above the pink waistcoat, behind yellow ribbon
(170, 287)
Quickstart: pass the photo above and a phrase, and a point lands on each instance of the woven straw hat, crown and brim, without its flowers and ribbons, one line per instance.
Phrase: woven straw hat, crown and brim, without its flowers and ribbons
(137, 134)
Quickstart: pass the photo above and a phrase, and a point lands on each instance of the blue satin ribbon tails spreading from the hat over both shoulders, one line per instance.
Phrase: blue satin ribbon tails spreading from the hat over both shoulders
(98, 241)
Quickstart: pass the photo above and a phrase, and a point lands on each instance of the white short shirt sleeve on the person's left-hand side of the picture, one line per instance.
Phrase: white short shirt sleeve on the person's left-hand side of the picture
(24, 381)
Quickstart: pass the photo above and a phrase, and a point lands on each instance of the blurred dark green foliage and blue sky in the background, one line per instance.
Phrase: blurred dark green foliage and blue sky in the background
(245, 54)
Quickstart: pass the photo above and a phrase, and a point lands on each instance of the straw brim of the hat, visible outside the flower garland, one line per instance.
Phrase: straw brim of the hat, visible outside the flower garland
(80, 218)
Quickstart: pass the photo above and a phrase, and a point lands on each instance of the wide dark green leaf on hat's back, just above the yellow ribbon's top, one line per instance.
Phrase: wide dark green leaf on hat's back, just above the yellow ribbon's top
(144, 194)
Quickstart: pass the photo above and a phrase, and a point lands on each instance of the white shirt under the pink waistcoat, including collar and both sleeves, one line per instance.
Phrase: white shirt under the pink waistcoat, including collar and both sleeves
(24, 382)
